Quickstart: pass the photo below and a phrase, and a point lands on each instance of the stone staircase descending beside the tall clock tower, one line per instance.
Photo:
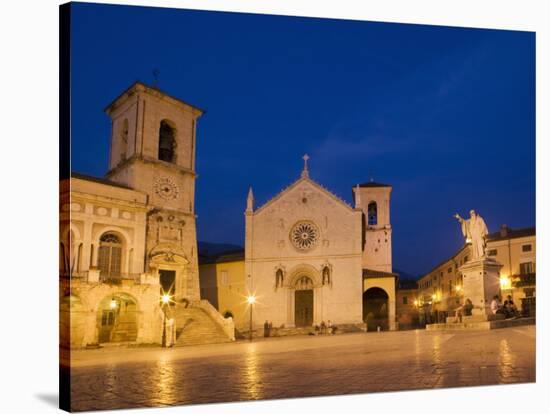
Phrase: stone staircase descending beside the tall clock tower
(195, 326)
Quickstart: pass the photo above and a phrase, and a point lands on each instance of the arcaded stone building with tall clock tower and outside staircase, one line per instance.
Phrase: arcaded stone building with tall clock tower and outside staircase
(129, 239)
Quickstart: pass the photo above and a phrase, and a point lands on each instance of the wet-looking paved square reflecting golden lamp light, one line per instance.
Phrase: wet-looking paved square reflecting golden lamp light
(300, 367)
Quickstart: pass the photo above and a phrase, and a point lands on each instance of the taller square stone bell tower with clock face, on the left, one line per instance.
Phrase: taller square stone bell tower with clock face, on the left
(153, 145)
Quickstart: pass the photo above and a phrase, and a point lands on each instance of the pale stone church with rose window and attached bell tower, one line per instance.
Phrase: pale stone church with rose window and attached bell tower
(311, 258)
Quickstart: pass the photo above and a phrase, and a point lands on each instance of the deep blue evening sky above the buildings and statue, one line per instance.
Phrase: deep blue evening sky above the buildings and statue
(445, 115)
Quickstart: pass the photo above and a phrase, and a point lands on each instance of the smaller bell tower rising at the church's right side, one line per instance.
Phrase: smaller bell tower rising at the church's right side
(374, 199)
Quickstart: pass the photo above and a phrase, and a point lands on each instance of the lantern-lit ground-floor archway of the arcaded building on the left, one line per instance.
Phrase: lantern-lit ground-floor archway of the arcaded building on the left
(117, 319)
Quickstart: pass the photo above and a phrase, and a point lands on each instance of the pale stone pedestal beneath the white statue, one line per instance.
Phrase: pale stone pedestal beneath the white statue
(481, 282)
